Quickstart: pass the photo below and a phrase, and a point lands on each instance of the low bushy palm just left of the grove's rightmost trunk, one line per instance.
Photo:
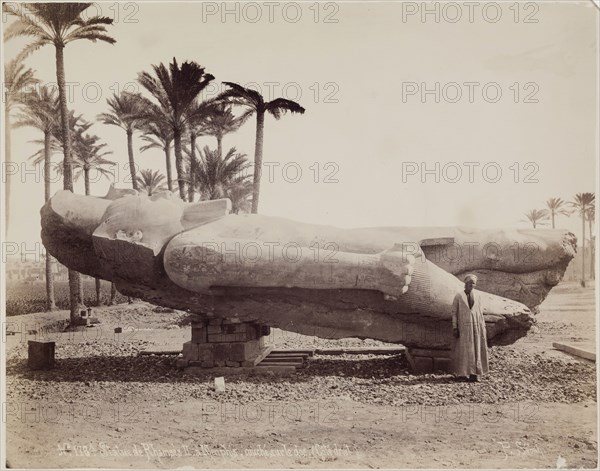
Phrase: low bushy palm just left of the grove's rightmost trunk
(217, 174)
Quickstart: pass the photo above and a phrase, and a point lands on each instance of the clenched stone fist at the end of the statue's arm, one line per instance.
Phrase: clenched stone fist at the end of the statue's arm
(398, 266)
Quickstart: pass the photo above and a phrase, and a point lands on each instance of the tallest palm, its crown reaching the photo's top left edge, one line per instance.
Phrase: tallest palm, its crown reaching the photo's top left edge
(58, 24)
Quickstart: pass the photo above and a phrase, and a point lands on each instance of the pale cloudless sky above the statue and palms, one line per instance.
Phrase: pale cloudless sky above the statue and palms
(359, 130)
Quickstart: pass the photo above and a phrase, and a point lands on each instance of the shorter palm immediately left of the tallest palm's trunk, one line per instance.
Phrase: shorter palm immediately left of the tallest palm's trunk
(40, 113)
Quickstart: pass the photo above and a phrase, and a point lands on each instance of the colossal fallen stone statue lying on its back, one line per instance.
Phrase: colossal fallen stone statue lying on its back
(394, 284)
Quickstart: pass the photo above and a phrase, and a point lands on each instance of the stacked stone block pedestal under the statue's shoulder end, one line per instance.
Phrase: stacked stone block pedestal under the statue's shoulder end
(225, 343)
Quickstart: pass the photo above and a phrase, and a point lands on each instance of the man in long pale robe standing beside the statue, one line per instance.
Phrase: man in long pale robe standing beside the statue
(469, 346)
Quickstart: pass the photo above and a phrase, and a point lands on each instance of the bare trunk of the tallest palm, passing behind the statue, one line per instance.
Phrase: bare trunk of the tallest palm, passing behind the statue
(76, 300)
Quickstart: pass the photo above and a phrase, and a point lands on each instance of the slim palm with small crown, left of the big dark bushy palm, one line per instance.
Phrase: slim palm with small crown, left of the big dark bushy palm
(126, 111)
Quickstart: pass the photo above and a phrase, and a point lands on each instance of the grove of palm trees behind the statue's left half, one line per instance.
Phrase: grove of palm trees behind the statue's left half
(172, 112)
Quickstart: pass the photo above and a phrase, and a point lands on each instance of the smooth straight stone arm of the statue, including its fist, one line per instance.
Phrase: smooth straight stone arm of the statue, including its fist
(203, 258)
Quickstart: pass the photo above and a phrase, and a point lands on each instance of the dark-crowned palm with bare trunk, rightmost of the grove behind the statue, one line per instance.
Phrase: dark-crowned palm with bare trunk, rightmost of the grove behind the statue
(255, 103)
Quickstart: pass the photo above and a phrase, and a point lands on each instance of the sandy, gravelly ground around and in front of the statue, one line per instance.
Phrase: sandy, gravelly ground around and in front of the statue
(82, 416)
